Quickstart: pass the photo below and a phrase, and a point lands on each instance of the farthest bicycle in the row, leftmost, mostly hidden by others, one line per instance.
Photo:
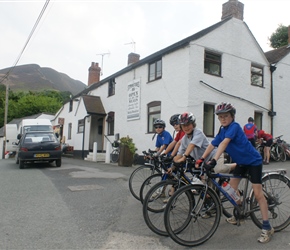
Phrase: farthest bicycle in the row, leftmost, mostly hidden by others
(140, 174)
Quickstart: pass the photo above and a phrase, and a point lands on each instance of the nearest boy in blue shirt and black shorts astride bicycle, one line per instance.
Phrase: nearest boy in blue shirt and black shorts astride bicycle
(231, 138)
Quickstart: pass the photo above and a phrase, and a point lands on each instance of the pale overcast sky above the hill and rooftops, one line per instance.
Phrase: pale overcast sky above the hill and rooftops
(73, 34)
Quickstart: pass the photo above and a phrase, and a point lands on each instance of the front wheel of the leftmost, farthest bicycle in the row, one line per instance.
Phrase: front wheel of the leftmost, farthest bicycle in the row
(138, 176)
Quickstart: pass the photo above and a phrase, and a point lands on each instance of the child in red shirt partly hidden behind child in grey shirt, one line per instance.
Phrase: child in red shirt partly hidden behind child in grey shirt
(174, 121)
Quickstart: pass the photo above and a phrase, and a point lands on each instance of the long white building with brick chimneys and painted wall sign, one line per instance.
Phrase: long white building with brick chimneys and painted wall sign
(223, 62)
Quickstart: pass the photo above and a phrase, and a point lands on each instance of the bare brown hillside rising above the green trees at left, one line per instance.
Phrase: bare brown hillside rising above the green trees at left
(33, 77)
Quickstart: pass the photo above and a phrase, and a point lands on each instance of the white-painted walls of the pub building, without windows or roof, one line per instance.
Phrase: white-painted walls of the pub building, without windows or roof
(180, 89)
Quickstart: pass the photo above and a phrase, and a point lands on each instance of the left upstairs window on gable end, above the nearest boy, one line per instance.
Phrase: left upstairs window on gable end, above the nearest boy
(212, 63)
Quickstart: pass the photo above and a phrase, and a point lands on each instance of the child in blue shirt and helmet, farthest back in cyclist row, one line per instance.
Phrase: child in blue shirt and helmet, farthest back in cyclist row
(164, 138)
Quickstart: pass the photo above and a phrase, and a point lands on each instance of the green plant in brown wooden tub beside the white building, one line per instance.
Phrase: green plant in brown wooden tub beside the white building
(127, 151)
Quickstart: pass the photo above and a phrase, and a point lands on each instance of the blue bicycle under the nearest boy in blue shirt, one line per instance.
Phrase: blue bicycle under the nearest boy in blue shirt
(183, 215)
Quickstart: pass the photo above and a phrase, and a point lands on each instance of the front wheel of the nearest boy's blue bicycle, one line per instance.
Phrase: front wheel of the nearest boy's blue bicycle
(192, 215)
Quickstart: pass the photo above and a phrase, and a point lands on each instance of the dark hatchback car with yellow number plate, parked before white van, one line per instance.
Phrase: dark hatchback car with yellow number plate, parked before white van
(38, 147)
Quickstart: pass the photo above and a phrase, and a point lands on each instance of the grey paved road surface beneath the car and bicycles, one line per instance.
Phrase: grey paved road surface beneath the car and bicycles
(86, 205)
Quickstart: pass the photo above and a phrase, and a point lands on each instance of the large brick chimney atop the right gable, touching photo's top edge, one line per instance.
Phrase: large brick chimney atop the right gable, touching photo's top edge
(233, 8)
